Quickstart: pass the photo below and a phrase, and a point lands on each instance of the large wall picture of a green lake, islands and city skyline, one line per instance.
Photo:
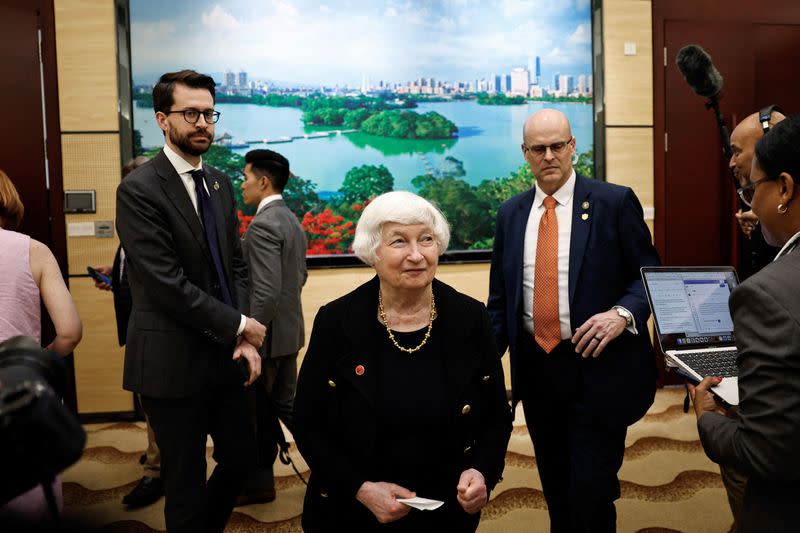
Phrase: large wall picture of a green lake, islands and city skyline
(365, 97)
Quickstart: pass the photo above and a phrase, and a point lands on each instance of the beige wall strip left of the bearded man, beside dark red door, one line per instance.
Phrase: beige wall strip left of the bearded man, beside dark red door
(87, 95)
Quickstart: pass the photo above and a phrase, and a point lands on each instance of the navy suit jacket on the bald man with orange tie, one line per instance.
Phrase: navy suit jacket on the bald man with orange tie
(607, 248)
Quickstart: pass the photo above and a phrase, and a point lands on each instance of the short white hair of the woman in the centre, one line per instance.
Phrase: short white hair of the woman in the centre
(401, 207)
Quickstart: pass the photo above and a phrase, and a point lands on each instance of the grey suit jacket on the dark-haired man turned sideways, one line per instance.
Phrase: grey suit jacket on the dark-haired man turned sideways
(274, 248)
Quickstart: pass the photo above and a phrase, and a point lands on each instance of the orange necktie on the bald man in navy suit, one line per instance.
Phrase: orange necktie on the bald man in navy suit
(546, 323)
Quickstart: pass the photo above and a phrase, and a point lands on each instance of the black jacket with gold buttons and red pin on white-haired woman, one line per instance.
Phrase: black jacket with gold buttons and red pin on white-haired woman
(335, 423)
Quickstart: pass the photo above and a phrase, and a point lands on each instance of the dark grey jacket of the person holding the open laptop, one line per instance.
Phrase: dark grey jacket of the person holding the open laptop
(764, 442)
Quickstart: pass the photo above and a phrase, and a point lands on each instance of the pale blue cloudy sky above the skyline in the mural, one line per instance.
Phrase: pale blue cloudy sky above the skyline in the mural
(340, 42)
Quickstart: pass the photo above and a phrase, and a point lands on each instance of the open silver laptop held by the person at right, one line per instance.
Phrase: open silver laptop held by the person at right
(693, 322)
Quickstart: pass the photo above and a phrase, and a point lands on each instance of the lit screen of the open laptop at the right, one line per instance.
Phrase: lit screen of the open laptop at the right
(690, 305)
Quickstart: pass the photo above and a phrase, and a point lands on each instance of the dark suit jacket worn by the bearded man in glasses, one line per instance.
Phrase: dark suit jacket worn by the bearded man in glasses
(180, 336)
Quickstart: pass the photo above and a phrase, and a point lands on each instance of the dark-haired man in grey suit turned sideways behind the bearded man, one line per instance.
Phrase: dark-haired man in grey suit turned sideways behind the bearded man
(275, 251)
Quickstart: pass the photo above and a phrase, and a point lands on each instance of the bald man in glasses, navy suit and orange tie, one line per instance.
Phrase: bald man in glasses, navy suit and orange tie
(566, 298)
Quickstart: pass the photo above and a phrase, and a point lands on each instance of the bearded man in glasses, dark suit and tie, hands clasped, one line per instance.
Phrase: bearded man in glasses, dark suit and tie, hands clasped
(177, 223)
